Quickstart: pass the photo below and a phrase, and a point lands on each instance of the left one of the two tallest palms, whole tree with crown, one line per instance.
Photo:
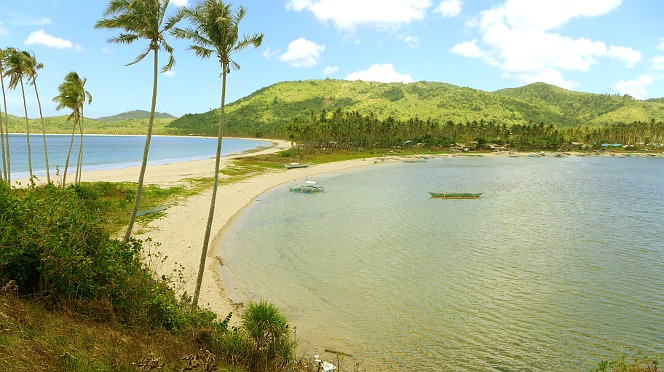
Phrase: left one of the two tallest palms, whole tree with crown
(142, 19)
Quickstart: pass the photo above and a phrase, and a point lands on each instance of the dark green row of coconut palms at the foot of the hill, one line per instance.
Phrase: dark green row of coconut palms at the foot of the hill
(351, 130)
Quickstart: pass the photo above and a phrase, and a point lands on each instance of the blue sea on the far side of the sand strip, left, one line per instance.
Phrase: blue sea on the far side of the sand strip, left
(112, 152)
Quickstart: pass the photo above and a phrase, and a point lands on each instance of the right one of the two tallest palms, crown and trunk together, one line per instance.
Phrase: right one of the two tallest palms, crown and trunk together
(215, 31)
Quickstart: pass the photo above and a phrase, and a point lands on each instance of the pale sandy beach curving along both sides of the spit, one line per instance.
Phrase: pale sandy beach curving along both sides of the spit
(178, 235)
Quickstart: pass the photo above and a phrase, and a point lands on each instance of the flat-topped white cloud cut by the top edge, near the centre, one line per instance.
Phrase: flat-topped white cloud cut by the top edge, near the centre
(348, 15)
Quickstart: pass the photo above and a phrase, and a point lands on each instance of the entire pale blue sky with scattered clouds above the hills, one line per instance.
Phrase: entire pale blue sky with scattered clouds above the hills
(597, 46)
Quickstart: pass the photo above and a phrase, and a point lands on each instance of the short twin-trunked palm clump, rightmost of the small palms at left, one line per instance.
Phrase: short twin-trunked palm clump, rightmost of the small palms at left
(73, 96)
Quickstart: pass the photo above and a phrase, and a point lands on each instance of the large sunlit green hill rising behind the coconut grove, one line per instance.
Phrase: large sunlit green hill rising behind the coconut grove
(265, 112)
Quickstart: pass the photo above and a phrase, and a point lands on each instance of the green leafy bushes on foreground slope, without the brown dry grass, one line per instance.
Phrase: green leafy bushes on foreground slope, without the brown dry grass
(54, 247)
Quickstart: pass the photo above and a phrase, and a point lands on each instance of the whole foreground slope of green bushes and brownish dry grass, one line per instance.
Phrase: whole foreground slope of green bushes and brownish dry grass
(57, 253)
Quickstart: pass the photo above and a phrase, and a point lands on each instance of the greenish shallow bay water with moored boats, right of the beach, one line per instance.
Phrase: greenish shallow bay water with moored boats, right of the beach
(558, 266)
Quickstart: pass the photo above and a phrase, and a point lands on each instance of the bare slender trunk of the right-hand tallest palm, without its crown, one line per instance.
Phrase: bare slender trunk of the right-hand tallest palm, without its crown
(208, 228)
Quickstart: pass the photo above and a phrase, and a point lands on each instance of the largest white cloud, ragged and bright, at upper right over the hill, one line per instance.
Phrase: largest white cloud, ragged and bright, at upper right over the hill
(518, 37)
